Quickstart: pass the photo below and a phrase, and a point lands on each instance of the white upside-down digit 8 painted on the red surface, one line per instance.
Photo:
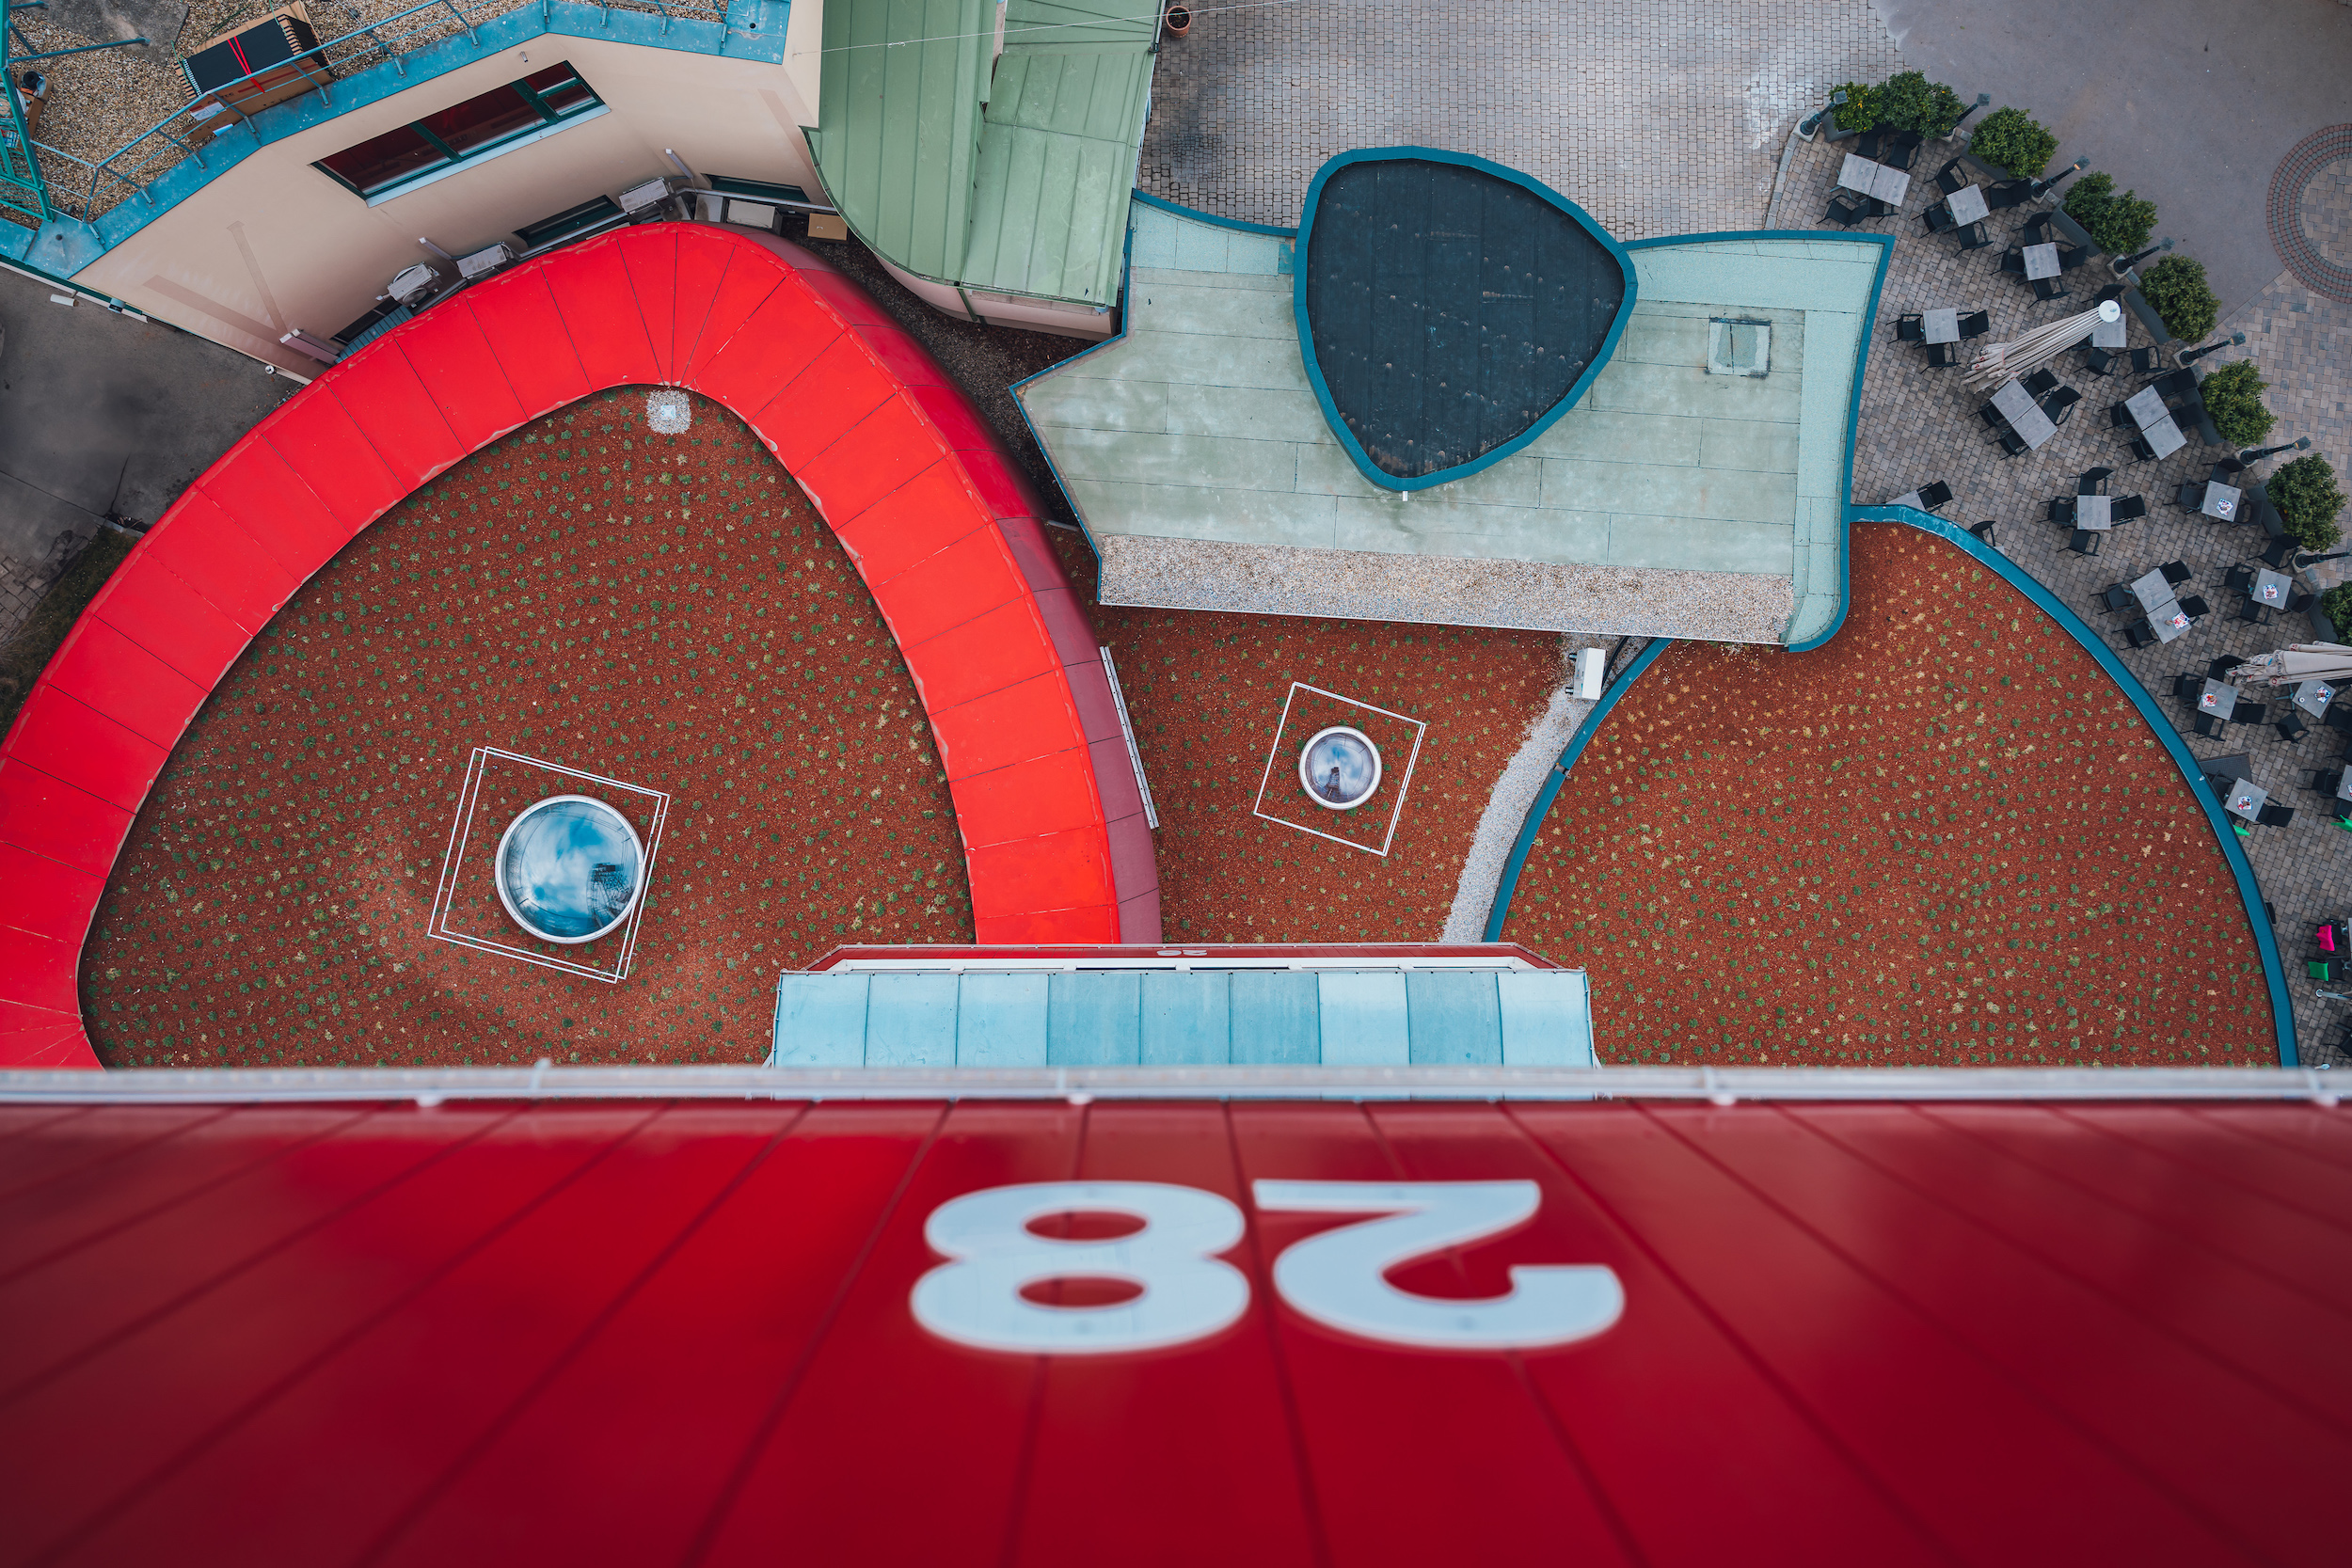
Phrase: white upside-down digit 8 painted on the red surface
(1187, 1292)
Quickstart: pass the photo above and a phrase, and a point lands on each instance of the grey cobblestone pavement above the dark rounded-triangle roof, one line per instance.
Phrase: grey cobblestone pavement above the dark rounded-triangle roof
(1659, 119)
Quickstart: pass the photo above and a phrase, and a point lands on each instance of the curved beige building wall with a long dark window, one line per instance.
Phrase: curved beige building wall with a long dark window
(274, 246)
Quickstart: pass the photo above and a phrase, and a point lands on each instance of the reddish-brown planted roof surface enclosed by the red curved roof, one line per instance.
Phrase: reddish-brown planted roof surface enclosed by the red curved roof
(662, 610)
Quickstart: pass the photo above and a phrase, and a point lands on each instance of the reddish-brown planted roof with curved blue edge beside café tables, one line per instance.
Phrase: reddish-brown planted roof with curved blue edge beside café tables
(1939, 840)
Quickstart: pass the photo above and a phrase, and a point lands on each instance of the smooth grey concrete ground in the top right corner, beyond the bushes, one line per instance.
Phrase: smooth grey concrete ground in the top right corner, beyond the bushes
(2189, 102)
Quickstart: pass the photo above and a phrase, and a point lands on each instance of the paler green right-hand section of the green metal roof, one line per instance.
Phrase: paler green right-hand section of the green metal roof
(1055, 175)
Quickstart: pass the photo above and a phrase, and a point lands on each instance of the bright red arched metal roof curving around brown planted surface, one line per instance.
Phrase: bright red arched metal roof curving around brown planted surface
(926, 500)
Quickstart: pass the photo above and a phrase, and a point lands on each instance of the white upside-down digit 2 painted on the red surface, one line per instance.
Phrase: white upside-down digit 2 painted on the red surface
(1339, 1278)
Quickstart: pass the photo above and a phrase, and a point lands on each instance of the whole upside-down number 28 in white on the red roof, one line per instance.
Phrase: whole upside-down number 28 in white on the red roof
(1337, 1278)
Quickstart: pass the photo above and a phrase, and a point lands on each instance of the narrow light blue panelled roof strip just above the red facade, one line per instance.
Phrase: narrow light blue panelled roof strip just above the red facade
(1187, 1019)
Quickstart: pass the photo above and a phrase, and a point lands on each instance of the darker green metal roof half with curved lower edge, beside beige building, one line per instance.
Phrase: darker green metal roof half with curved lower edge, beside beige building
(900, 123)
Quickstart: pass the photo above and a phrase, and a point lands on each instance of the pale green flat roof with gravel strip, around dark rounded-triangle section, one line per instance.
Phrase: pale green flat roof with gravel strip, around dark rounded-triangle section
(1669, 502)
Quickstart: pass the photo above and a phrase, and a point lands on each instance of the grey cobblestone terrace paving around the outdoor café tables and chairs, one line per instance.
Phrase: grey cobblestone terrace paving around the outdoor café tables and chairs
(1920, 424)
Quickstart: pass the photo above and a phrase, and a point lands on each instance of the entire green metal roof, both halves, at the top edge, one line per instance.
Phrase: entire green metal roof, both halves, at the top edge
(1013, 185)
